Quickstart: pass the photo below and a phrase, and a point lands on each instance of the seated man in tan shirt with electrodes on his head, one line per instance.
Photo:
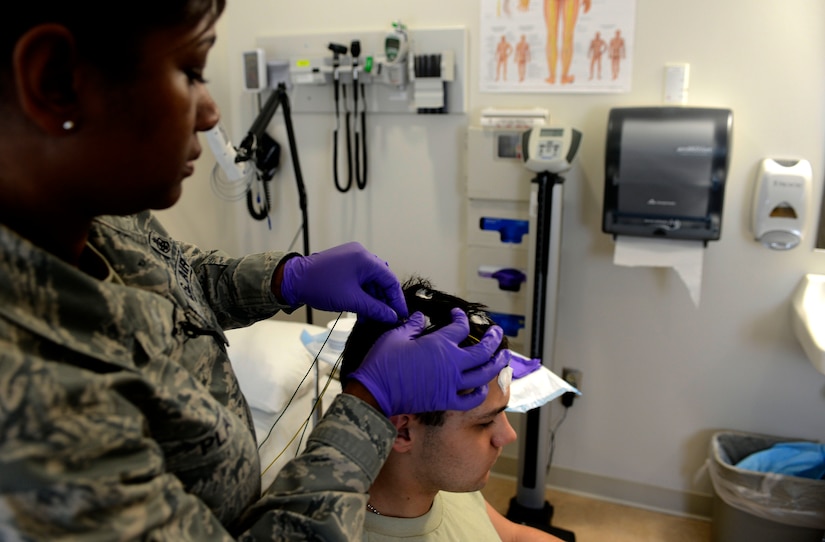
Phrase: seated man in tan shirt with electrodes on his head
(429, 487)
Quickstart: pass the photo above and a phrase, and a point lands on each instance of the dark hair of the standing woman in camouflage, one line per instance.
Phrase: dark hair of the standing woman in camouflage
(108, 34)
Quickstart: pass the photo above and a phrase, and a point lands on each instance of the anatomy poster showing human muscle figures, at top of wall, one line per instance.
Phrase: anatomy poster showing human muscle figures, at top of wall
(556, 45)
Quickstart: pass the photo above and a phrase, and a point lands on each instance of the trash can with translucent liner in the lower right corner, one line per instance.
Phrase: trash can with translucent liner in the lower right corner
(753, 506)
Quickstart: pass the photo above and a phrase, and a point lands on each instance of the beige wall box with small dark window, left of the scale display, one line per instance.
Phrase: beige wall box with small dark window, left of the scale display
(494, 166)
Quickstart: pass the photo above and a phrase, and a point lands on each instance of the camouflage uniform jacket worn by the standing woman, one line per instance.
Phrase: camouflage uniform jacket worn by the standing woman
(121, 418)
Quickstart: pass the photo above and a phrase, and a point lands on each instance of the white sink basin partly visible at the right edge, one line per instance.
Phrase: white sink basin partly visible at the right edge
(808, 315)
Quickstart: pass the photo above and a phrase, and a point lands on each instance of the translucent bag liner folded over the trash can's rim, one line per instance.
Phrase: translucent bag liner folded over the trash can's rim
(781, 498)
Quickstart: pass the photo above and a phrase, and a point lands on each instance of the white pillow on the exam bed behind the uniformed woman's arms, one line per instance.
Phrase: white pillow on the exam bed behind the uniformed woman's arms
(271, 363)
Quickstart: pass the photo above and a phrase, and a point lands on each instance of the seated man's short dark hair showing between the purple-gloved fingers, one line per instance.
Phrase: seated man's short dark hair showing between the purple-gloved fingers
(436, 306)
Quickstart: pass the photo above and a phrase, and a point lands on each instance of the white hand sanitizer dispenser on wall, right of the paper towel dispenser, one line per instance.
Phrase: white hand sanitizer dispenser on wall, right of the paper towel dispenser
(780, 205)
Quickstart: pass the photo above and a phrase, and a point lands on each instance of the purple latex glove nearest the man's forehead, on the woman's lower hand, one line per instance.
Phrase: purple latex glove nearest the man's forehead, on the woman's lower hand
(408, 374)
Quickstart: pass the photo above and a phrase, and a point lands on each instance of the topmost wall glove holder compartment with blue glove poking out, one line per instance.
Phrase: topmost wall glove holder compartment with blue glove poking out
(498, 223)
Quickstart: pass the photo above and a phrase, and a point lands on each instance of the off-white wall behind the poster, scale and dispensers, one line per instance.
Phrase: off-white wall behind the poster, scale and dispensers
(659, 374)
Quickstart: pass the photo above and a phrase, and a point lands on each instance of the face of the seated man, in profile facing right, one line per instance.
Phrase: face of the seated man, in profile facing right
(458, 455)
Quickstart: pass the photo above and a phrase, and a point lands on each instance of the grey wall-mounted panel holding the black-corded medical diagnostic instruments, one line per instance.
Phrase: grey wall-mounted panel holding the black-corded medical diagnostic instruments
(434, 73)
